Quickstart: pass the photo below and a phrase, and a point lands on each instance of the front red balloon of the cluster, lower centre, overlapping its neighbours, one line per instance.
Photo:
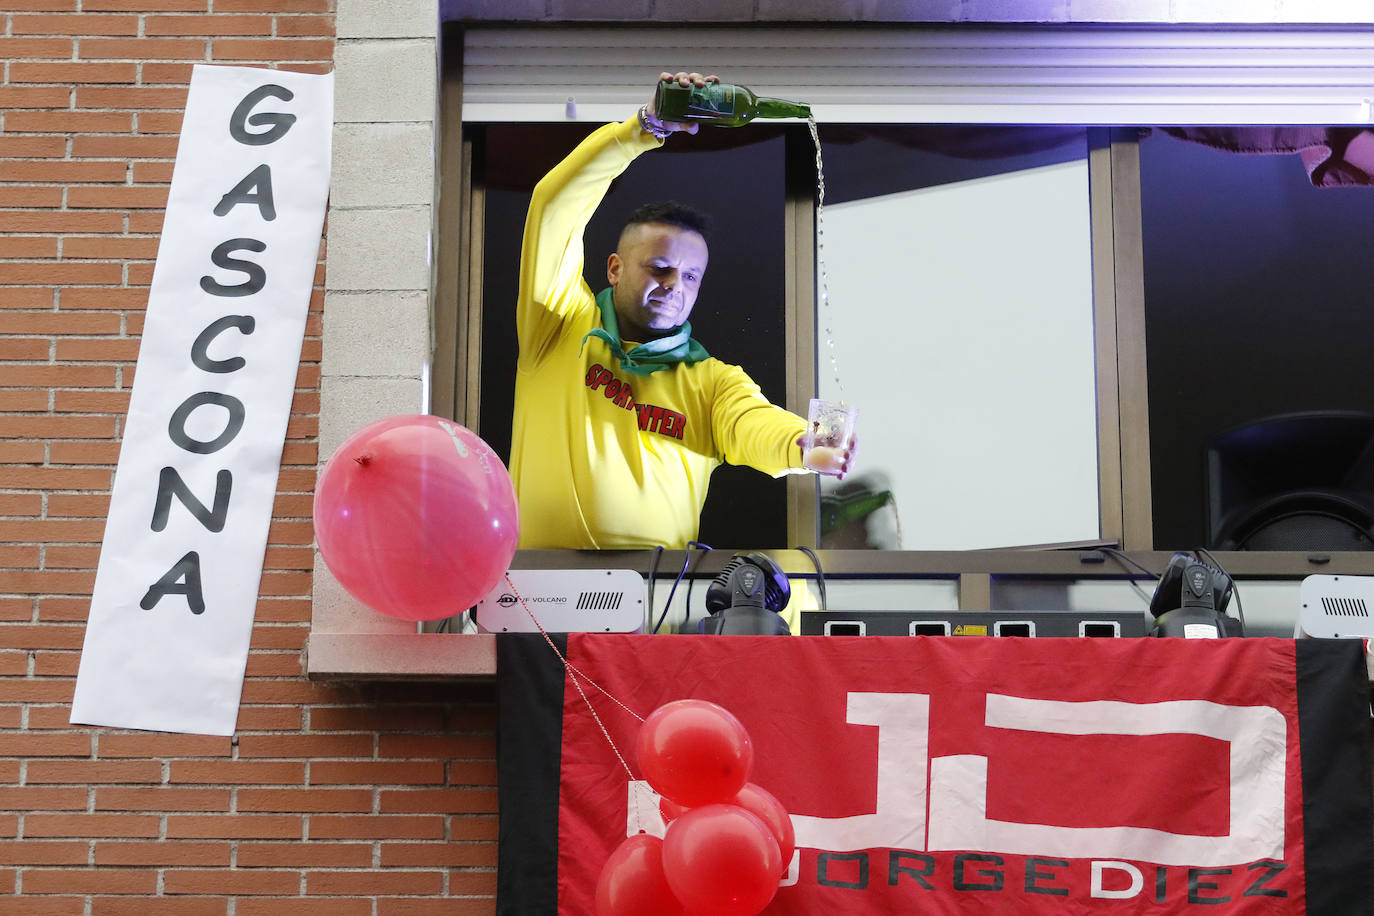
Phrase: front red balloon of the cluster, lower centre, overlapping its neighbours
(722, 860)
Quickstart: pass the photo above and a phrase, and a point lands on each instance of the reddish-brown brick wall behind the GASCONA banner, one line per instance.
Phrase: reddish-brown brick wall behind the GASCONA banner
(368, 799)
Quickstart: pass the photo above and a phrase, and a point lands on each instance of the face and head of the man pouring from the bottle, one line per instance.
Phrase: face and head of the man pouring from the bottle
(656, 274)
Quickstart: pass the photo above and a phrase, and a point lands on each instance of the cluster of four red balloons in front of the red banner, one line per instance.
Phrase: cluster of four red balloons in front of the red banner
(728, 840)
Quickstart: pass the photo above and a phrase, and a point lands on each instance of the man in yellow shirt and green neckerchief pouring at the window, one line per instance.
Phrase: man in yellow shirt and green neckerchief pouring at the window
(620, 415)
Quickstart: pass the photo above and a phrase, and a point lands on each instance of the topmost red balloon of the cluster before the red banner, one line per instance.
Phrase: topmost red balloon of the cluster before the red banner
(695, 753)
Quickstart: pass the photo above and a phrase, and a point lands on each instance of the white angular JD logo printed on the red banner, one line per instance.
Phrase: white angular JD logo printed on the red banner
(957, 793)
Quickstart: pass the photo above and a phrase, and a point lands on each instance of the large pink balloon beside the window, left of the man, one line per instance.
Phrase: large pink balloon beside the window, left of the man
(416, 517)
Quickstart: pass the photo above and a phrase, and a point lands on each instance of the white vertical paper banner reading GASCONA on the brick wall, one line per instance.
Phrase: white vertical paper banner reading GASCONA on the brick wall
(178, 583)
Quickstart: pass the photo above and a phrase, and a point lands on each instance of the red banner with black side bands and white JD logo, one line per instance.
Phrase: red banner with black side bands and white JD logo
(946, 775)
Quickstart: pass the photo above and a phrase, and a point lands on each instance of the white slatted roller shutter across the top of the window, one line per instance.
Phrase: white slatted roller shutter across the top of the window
(1066, 75)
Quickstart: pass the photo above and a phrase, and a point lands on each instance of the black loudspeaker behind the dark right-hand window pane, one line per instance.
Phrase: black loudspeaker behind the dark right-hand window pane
(1294, 483)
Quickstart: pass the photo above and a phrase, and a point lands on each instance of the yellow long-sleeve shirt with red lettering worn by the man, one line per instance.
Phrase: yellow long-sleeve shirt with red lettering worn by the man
(602, 458)
